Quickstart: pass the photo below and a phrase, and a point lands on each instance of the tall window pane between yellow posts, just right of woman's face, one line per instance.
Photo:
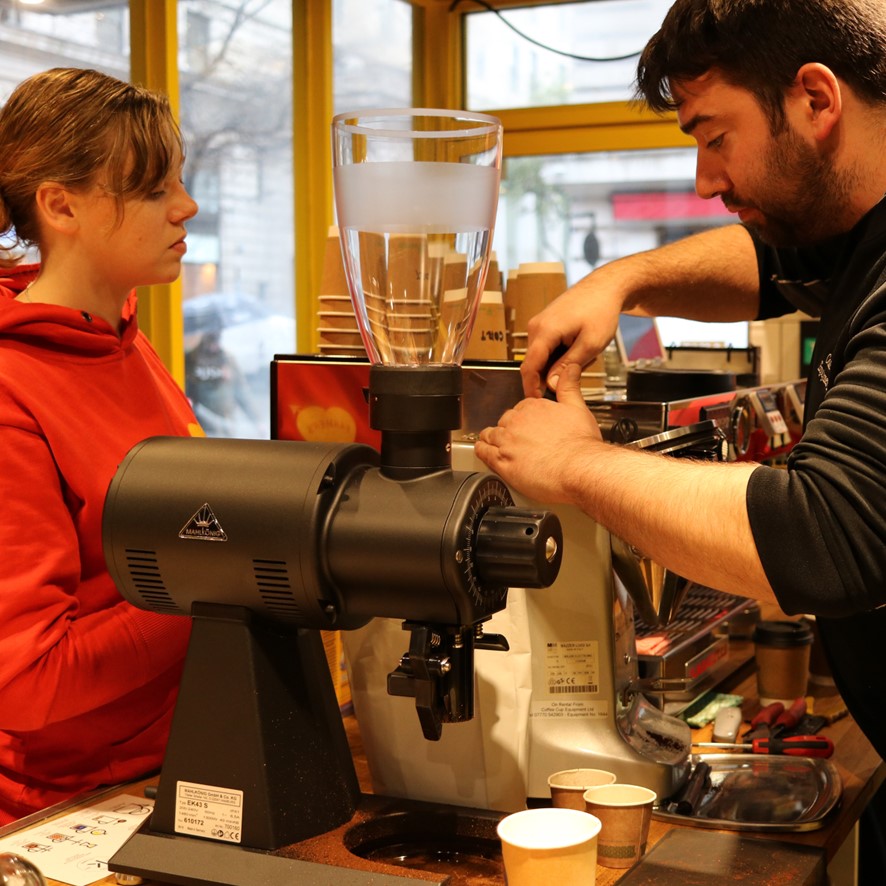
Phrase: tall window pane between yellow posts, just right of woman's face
(235, 64)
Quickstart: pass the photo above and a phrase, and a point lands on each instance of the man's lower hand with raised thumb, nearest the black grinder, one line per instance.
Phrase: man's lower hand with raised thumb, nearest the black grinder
(535, 445)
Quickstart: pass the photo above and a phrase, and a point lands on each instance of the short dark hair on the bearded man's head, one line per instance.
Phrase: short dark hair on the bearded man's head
(761, 44)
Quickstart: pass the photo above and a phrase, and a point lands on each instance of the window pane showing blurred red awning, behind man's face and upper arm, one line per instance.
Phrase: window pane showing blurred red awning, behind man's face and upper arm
(585, 210)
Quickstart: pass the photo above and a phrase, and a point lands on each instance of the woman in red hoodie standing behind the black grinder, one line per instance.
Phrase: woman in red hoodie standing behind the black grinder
(90, 177)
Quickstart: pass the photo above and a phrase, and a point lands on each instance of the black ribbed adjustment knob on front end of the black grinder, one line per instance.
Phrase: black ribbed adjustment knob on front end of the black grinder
(519, 548)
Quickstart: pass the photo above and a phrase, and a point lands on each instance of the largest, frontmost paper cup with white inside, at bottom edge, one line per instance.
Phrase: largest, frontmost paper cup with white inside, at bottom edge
(549, 846)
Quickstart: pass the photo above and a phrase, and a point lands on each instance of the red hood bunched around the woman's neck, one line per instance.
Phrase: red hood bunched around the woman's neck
(63, 331)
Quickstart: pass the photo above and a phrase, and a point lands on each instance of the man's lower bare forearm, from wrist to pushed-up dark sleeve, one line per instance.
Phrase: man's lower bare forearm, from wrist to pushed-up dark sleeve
(690, 517)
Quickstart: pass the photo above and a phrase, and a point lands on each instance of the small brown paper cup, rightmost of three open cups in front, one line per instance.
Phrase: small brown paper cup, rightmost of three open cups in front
(624, 811)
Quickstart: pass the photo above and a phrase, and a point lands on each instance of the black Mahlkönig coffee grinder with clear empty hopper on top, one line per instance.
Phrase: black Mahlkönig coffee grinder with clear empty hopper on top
(263, 543)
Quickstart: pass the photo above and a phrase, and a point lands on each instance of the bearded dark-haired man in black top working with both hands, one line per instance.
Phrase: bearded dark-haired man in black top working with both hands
(786, 100)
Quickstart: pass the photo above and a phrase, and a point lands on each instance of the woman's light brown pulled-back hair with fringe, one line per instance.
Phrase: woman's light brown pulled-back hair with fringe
(79, 127)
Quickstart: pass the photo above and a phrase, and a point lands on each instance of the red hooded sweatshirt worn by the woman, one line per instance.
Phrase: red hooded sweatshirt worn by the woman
(87, 681)
